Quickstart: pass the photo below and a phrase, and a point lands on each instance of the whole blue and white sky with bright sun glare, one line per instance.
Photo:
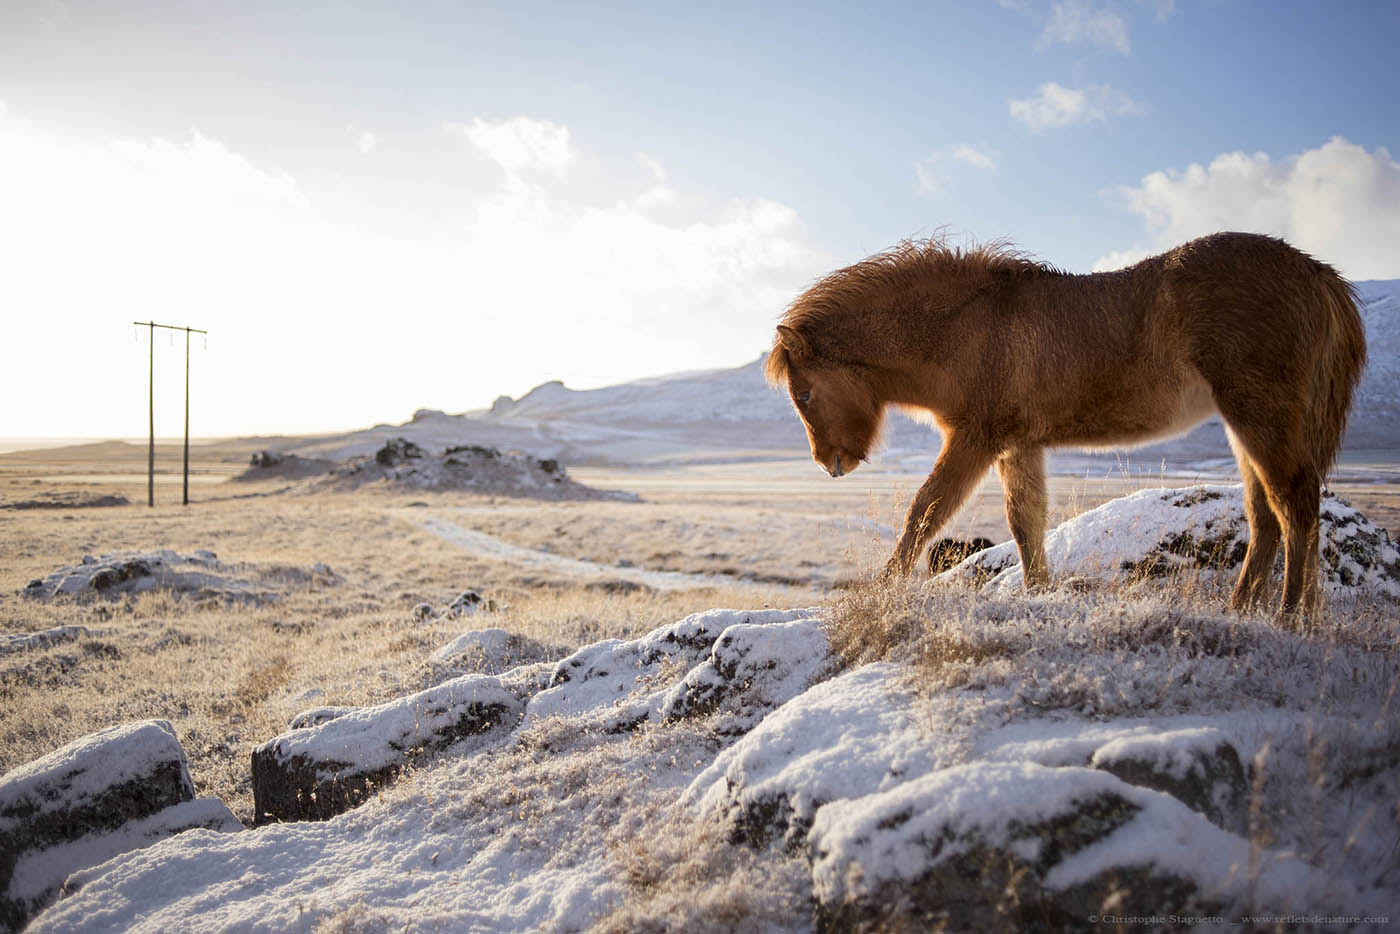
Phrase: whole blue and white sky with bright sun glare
(376, 208)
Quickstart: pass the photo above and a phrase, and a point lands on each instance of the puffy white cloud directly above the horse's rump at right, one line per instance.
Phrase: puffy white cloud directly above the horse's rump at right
(1339, 202)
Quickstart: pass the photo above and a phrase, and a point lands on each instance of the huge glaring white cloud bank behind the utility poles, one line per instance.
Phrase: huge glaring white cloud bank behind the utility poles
(321, 324)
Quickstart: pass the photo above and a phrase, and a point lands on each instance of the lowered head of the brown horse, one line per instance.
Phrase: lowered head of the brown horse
(835, 401)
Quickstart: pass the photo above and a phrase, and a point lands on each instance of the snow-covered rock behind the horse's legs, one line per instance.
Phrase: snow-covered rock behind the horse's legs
(1200, 531)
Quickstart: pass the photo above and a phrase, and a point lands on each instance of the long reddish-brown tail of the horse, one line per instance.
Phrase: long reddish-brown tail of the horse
(1343, 359)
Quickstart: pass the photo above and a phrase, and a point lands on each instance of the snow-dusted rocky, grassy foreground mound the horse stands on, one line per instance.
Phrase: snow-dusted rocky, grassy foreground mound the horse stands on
(902, 758)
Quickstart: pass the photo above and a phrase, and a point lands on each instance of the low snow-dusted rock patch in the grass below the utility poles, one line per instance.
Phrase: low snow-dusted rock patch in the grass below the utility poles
(199, 576)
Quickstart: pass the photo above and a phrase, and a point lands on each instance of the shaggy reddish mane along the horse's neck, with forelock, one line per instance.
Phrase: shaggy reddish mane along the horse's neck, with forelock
(908, 272)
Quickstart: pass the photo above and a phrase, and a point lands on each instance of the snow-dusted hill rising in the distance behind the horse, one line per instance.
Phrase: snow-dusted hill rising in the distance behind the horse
(733, 414)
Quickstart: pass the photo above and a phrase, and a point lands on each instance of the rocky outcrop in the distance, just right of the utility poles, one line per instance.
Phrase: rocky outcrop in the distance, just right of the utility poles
(404, 466)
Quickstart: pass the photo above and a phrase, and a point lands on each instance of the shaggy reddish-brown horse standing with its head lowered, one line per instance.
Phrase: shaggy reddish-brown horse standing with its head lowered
(1010, 358)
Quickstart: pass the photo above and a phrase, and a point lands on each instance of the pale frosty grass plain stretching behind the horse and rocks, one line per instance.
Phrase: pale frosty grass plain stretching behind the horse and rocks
(230, 676)
